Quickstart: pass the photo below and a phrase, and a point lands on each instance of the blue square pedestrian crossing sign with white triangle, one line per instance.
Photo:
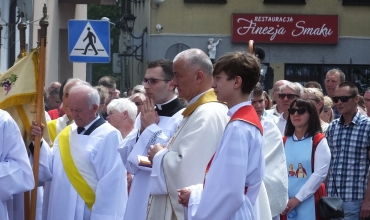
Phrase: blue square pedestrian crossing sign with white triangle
(89, 41)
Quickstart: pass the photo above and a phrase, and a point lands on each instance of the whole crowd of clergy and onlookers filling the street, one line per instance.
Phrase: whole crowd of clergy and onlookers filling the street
(196, 140)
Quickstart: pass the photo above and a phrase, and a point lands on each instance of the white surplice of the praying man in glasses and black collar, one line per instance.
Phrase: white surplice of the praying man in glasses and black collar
(135, 145)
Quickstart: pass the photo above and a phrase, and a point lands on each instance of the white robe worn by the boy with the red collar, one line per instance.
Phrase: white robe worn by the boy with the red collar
(237, 163)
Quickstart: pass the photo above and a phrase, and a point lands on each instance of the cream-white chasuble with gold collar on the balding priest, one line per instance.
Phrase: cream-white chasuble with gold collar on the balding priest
(190, 149)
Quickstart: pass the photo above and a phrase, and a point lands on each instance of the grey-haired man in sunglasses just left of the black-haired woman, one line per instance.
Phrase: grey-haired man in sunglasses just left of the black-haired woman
(288, 92)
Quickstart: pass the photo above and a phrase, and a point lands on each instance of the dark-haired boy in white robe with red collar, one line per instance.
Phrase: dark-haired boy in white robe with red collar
(235, 172)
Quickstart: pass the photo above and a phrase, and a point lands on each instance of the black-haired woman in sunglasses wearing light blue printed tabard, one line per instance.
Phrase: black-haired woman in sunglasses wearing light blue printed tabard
(305, 146)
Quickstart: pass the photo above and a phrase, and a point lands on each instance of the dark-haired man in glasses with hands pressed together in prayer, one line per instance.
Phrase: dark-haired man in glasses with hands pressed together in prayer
(160, 115)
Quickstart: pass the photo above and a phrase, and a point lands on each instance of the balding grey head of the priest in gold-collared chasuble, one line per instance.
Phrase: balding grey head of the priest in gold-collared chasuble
(192, 73)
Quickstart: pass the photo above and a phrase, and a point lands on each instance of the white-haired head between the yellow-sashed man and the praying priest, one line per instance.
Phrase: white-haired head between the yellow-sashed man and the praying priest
(121, 115)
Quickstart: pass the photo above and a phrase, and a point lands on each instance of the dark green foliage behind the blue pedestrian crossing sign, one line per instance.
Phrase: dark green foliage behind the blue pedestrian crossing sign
(96, 12)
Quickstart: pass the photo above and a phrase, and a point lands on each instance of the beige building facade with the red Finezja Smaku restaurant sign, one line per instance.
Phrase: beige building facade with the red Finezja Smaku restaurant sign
(191, 23)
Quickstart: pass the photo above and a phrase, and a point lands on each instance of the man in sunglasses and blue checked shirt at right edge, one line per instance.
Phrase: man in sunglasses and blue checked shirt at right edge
(349, 141)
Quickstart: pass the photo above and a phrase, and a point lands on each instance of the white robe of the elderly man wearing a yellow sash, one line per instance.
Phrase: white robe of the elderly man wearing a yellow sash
(110, 186)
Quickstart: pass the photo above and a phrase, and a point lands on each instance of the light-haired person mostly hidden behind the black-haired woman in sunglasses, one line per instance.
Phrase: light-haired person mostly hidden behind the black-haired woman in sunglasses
(316, 96)
